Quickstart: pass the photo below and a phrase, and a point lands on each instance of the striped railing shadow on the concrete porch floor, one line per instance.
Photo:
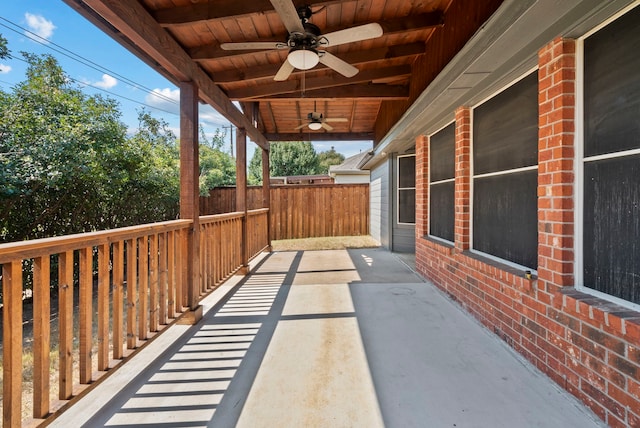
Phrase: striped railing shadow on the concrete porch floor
(203, 378)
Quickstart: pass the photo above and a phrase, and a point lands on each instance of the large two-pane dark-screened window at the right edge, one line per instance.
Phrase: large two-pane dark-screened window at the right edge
(611, 160)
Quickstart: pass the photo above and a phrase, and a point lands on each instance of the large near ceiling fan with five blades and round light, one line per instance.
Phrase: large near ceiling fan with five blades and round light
(307, 44)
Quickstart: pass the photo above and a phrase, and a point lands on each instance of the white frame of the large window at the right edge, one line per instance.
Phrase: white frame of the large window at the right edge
(579, 167)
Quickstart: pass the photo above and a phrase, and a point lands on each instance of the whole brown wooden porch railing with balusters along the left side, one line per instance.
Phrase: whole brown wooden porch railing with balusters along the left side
(136, 278)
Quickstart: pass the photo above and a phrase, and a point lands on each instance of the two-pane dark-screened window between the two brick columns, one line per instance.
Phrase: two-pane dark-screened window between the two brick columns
(505, 180)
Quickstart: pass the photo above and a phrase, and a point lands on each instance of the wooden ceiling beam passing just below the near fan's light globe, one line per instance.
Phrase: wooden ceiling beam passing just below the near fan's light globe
(354, 58)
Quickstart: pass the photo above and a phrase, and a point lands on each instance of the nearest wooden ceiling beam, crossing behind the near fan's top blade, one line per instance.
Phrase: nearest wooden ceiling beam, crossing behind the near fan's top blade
(220, 9)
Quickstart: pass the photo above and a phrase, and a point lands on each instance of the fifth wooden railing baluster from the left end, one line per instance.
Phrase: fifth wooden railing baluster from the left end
(103, 307)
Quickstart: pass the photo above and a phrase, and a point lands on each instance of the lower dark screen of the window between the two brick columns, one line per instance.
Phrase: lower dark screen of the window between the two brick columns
(505, 217)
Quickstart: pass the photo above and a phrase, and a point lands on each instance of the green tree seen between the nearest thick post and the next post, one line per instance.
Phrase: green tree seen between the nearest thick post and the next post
(217, 167)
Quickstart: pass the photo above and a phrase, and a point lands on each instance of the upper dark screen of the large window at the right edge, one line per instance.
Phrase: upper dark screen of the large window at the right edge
(612, 87)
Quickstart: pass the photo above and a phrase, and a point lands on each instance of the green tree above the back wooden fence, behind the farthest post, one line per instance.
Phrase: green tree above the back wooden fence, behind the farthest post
(285, 159)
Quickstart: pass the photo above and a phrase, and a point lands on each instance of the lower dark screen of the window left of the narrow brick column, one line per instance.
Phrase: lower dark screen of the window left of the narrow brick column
(441, 210)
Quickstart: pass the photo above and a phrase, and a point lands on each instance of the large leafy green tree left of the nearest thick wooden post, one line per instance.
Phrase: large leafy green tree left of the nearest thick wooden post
(67, 166)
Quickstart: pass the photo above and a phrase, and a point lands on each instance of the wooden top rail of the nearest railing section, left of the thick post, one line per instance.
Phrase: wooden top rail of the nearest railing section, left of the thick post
(40, 247)
